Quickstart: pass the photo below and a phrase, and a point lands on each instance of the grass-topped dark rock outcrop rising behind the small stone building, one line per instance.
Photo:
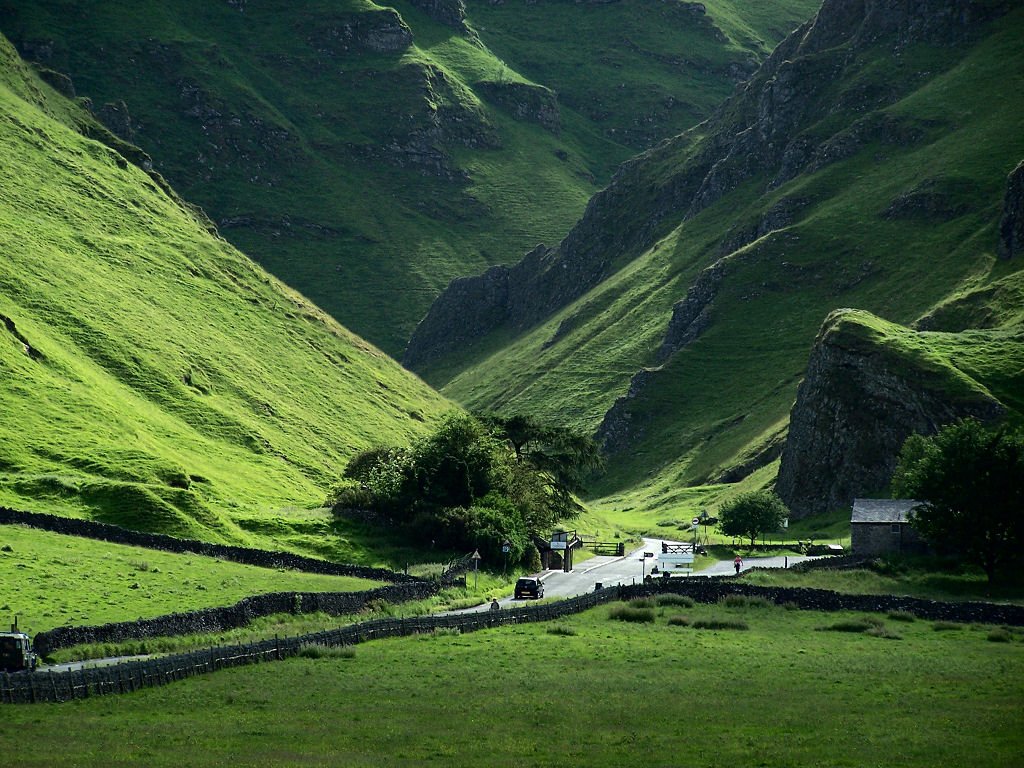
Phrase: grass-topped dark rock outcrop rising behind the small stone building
(866, 392)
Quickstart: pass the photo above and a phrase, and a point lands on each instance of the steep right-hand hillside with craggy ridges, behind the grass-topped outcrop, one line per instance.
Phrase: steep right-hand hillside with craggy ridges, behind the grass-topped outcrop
(843, 176)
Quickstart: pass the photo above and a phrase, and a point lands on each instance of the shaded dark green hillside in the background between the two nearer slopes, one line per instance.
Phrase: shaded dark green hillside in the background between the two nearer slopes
(367, 158)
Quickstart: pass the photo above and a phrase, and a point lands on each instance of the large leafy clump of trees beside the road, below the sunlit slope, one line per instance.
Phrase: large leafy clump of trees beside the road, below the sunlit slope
(476, 483)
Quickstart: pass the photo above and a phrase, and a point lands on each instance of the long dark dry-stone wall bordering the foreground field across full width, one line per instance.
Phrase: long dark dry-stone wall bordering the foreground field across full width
(127, 677)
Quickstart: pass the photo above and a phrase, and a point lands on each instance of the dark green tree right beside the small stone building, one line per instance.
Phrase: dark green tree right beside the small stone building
(970, 481)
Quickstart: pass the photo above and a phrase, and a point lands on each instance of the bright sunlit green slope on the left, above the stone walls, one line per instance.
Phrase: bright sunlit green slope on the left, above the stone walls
(150, 374)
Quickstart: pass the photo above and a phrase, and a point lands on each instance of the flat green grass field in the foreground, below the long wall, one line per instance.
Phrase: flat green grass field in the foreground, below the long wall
(594, 693)
